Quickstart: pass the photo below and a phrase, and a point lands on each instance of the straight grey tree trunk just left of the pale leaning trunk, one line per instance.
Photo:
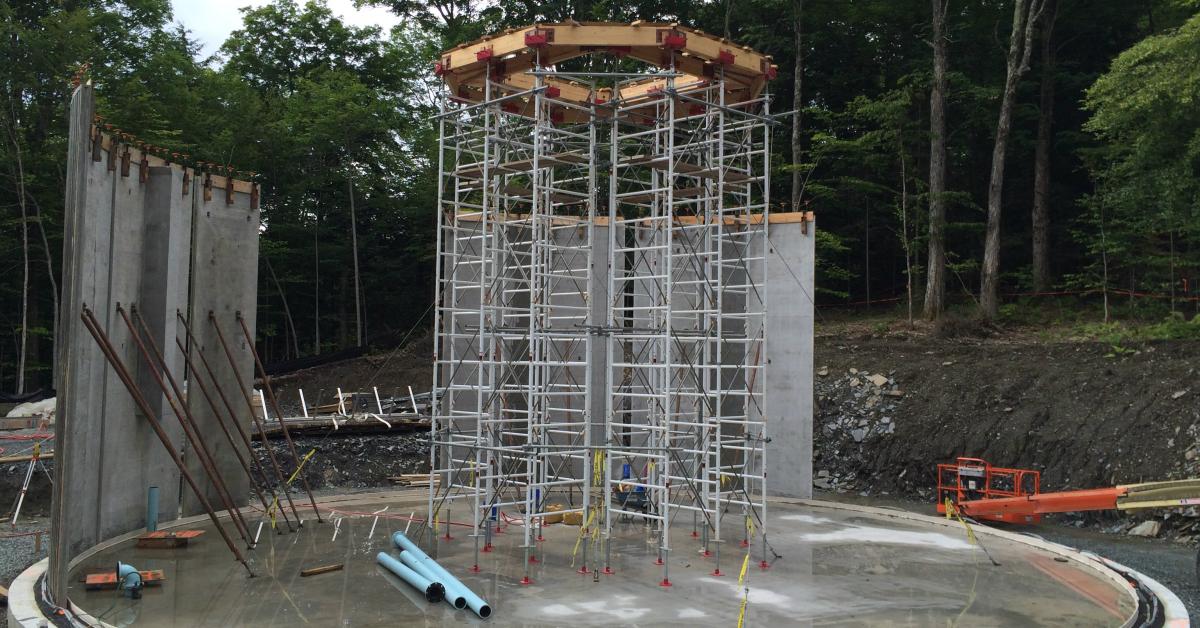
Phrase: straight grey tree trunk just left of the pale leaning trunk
(935, 276)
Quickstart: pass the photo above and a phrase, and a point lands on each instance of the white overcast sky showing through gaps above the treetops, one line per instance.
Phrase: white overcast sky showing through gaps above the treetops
(213, 21)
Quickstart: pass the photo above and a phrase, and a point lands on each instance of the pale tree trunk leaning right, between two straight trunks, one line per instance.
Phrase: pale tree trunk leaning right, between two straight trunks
(1025, 17)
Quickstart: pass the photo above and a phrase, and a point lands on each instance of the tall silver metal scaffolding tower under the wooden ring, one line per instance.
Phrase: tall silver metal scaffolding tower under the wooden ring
(604, 363)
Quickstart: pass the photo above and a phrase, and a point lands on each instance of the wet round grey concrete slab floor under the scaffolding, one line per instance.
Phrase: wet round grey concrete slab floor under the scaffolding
(836, 567)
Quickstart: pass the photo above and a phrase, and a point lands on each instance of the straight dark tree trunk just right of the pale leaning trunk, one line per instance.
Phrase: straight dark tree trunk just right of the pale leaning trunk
(1041, 228)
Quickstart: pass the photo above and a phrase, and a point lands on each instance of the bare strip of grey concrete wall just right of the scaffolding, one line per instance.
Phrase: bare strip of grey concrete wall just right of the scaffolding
(789, 396)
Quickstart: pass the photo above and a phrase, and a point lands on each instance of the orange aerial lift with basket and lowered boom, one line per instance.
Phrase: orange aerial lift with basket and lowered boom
(1015, 497)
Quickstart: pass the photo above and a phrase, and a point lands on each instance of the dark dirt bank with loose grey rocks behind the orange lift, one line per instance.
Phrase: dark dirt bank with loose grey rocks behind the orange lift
(1084, 415)
